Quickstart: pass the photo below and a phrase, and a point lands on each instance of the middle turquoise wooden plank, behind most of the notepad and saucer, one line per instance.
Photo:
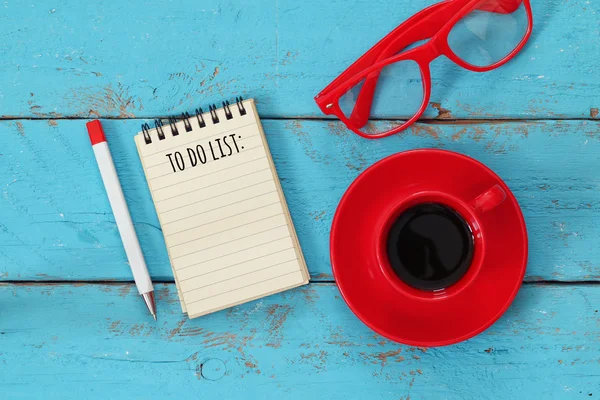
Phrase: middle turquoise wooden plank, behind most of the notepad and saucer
(56, 221)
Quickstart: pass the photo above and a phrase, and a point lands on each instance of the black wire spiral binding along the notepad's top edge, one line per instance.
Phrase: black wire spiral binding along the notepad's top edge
(186, 118)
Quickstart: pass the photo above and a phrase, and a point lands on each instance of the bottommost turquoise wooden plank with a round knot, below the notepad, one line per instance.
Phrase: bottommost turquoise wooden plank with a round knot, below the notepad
(96, 341)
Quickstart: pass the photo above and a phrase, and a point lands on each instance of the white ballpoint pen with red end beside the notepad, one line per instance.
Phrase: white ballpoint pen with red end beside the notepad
(121, 213)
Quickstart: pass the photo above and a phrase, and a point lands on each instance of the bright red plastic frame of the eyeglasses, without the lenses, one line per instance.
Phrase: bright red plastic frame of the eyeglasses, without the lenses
(423, 25)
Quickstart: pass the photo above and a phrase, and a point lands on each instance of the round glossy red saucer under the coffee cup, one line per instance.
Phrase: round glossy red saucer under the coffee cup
(376, 299)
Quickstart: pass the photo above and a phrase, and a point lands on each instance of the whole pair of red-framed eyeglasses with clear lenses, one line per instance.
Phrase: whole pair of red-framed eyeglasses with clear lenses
(479, 35)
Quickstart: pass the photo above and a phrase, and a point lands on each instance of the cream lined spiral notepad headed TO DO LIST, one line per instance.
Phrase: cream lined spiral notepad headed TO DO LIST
(223, 214)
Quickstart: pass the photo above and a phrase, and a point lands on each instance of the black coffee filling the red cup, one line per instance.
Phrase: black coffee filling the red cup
(430, 246)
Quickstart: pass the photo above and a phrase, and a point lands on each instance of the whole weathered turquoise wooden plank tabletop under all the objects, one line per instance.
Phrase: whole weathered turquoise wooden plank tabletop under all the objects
(71, 322)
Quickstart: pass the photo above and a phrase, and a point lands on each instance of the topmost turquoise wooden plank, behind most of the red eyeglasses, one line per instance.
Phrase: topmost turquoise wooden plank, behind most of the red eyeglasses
(124, 59)
